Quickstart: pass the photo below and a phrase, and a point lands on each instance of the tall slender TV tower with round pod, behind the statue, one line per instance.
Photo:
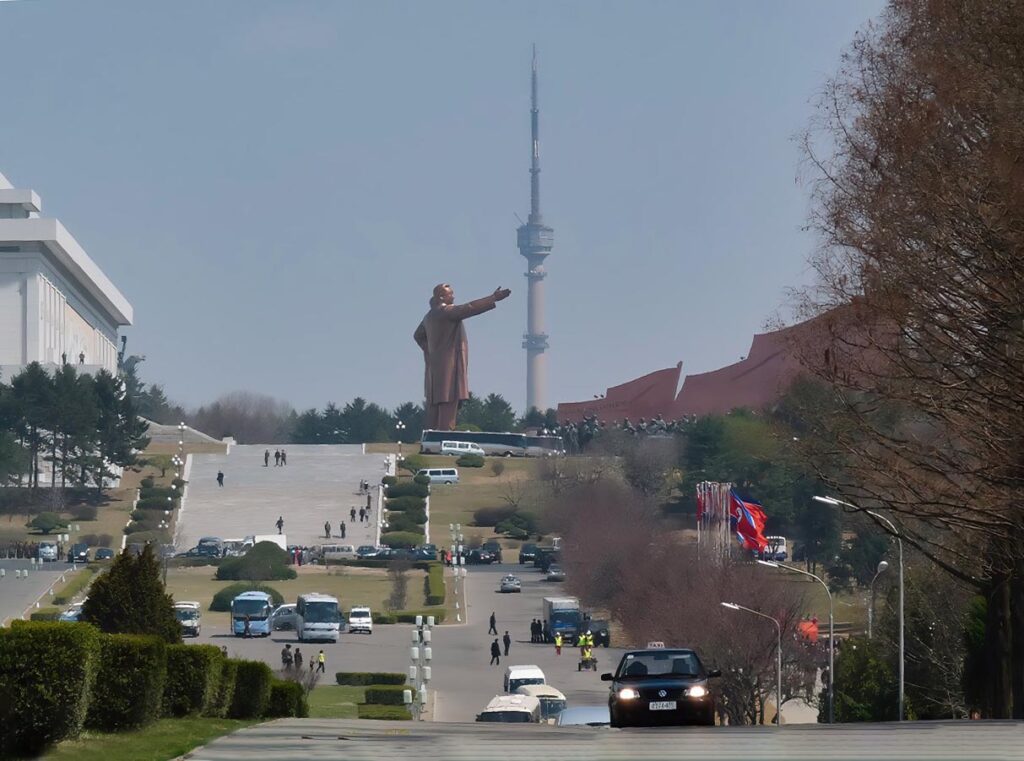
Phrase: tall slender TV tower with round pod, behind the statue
(535, 241)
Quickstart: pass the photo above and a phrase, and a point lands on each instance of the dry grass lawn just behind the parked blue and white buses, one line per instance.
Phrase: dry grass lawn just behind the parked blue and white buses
(350, 585)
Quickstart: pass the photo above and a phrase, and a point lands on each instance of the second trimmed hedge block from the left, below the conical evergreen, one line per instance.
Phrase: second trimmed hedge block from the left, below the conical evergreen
(130, 684)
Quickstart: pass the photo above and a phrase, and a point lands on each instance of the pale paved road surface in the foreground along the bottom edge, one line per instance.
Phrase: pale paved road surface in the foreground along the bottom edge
(309, 740)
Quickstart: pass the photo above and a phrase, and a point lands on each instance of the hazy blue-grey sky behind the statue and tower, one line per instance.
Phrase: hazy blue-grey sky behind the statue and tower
(277, 187)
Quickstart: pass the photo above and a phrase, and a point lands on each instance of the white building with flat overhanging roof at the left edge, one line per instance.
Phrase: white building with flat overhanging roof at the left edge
(56, 304)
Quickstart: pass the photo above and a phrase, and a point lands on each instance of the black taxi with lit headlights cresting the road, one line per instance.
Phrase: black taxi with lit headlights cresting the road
(661, 688)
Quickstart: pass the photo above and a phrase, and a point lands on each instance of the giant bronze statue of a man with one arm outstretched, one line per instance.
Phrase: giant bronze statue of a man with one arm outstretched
(446, 352)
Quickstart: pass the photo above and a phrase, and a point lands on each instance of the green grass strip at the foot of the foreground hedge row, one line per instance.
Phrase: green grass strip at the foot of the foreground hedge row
(164, 740)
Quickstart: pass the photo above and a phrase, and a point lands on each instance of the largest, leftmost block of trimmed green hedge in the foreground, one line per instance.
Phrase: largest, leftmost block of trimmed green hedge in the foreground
(48, 671)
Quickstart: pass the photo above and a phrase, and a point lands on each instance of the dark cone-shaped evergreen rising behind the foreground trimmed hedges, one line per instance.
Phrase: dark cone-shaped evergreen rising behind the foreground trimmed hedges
(131, 599)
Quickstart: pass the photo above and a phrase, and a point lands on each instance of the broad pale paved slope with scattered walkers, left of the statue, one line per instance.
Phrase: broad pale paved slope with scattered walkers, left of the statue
(319, 484)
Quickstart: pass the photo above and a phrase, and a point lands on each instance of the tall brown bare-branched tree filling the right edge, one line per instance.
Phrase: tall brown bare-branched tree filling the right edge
(918, 199)
